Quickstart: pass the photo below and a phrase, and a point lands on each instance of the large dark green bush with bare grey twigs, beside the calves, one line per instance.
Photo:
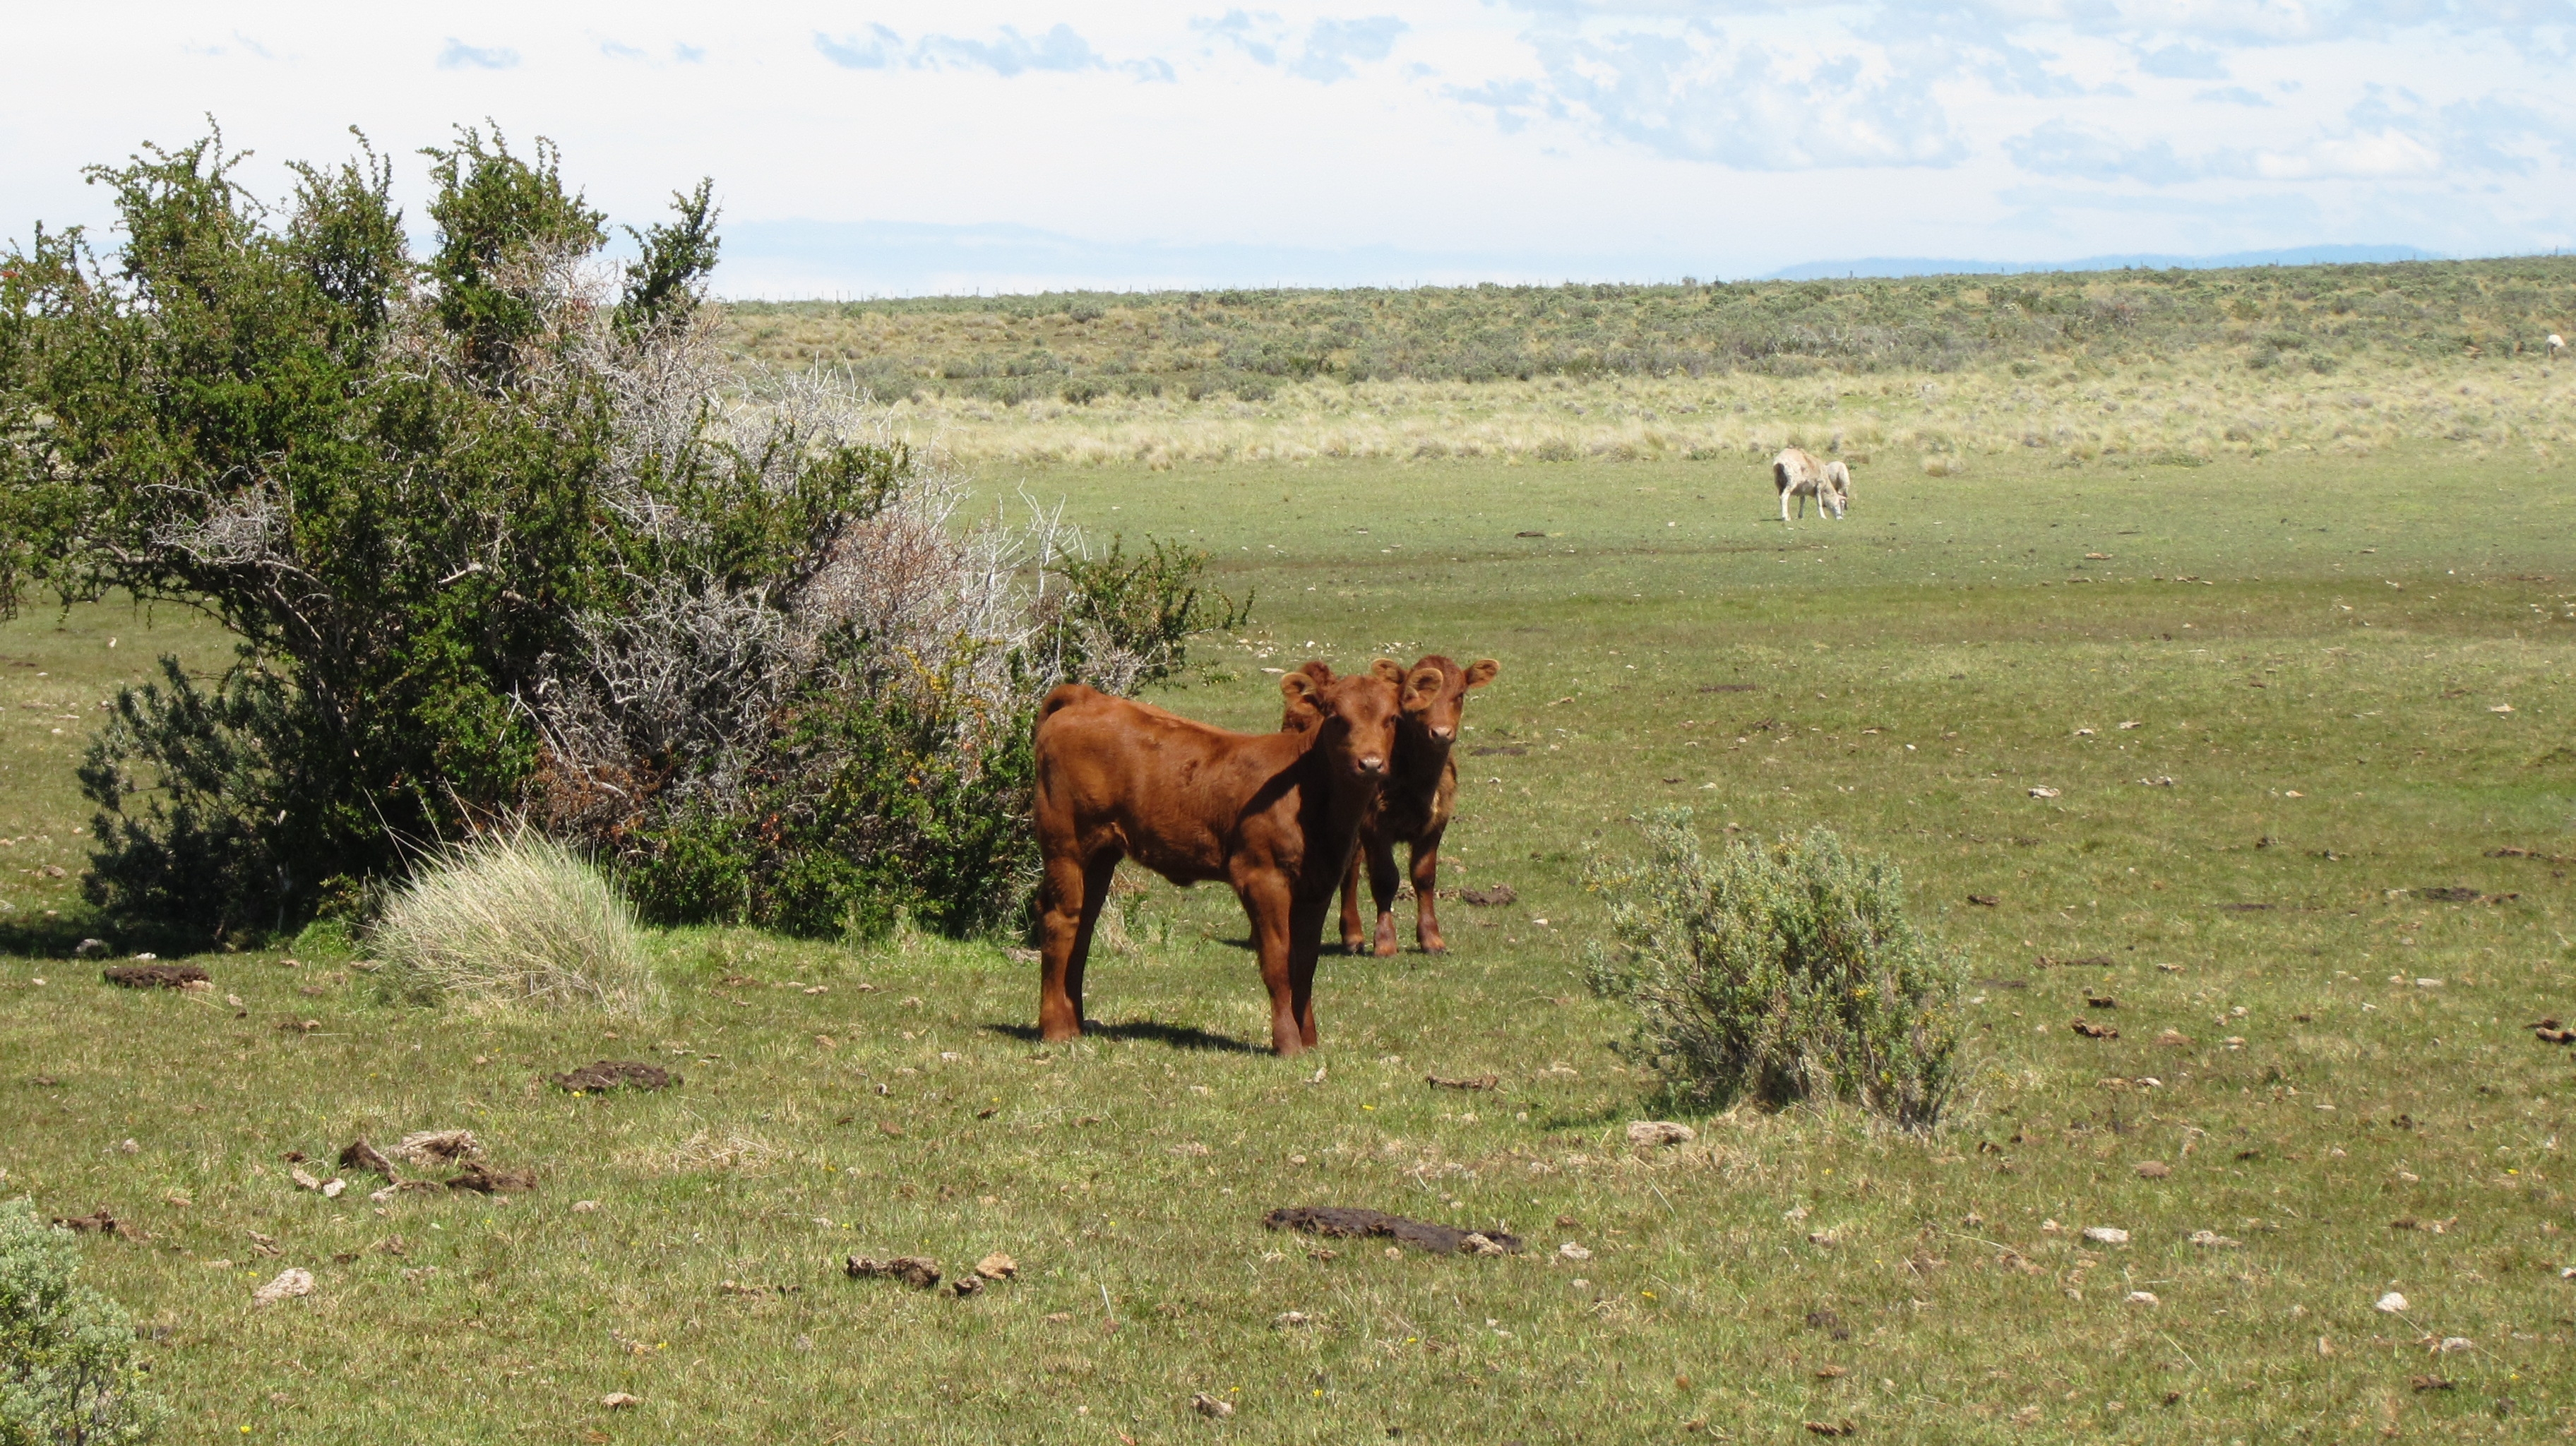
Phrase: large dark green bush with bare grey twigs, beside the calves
(504, 535)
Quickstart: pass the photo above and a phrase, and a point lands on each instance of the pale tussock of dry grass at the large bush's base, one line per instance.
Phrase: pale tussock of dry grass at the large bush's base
(516, 921)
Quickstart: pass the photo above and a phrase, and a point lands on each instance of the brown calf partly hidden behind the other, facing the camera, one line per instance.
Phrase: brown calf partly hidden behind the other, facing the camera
(1418, 800)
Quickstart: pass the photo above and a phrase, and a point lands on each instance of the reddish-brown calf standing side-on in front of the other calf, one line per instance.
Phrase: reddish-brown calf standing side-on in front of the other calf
(1271, 816)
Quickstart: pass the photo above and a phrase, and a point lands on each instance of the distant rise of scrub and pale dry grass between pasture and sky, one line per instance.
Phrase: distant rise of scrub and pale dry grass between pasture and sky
(2121, 367)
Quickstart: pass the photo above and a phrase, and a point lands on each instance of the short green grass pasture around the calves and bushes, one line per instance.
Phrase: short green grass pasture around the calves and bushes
(2271, 700)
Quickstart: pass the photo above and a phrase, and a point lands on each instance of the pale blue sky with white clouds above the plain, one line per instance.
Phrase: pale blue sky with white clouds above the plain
(1027, 143)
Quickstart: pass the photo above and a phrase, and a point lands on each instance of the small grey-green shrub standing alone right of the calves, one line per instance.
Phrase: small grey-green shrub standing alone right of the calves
(1779, 973)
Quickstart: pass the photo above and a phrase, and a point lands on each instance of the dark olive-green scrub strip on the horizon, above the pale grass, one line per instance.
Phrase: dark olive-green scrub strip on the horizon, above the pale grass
(1091, 344)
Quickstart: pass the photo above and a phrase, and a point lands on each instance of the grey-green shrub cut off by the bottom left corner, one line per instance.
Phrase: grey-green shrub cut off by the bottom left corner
(68, 1373)
